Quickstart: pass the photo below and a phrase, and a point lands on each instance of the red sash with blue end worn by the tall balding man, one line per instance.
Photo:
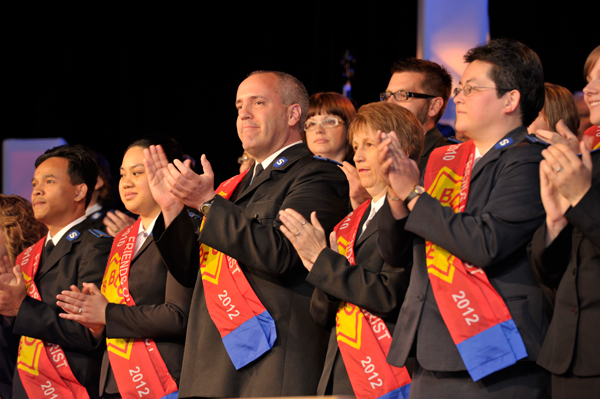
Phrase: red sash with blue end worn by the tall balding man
(246, 327)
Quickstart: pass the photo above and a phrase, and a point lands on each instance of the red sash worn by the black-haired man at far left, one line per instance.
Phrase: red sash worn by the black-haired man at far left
(42, 366)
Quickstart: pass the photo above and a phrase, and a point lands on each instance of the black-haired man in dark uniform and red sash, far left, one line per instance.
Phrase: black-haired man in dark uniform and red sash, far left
(72, 254)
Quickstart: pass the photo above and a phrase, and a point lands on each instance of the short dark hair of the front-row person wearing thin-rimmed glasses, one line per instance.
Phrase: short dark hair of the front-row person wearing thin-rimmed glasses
(514, 67)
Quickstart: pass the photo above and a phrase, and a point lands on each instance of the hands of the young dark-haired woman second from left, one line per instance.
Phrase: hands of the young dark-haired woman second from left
(87, 307)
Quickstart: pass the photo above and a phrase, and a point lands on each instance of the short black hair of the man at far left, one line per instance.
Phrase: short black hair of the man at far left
(82, 166)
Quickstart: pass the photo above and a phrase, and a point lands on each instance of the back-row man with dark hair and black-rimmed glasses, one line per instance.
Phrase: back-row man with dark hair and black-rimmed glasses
(423, 87)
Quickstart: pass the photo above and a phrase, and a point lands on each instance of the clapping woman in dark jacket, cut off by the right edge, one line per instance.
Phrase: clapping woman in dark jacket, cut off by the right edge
(565, 255)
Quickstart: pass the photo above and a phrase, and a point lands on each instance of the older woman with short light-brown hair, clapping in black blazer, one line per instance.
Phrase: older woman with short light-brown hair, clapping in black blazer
(365, 281)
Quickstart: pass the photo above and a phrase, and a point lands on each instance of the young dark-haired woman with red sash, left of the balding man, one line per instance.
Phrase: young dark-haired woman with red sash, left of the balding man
(140, 309)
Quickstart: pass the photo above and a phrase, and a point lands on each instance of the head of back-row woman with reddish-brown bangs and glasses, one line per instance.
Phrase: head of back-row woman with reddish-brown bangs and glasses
(326, 128)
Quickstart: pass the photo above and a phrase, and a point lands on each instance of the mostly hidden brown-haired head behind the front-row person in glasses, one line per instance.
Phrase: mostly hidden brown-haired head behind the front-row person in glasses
(559, 104)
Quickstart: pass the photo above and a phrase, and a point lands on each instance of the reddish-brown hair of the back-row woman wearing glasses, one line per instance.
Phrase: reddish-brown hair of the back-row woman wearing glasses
(332, 104)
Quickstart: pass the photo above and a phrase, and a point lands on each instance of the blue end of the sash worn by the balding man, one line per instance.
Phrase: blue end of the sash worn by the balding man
(250, 340)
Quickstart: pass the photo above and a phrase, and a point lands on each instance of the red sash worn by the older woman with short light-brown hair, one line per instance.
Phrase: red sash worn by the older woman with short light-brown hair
(363, 338)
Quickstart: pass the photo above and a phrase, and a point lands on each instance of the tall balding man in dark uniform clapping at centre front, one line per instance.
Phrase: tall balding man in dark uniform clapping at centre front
(272, 109)
